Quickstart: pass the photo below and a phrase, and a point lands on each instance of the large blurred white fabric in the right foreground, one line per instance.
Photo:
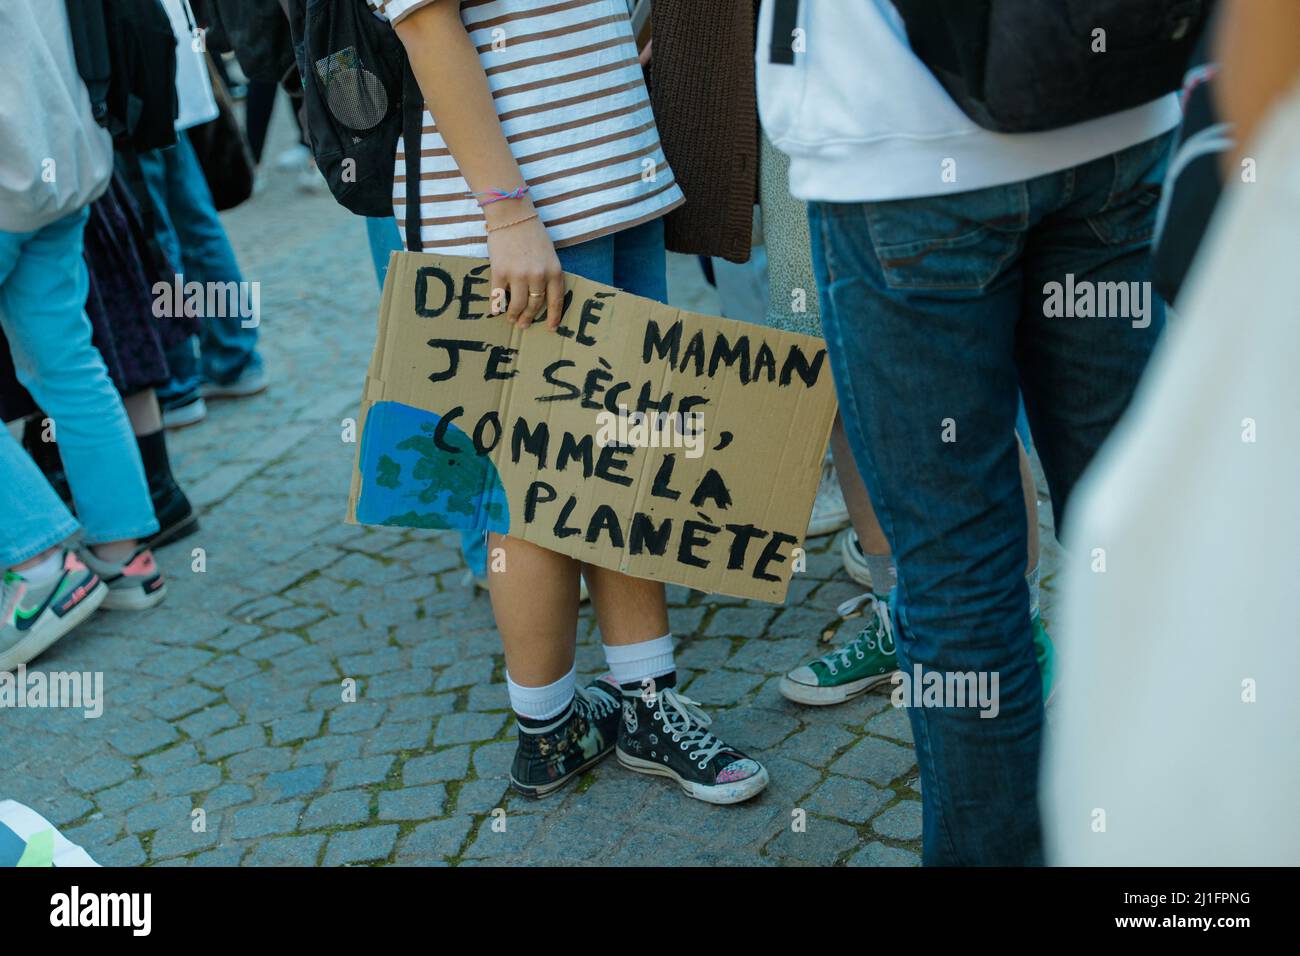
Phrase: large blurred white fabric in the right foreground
(1177, 739)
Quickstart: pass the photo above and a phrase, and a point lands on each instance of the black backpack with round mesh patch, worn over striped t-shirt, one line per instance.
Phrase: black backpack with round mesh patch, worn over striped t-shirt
(361, 98)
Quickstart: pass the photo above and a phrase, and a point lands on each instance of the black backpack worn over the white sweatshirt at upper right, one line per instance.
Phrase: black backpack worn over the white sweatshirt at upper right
(1028, 66)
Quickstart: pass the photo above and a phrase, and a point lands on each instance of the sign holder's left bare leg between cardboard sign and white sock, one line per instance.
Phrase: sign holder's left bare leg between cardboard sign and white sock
(535, 600)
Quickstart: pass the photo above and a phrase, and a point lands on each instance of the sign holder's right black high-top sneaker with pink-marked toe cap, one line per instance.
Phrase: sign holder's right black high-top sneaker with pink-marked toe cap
(668, 734)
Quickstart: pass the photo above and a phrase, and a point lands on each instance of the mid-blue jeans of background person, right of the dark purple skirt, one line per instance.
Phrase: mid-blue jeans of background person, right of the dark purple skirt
(192, 236)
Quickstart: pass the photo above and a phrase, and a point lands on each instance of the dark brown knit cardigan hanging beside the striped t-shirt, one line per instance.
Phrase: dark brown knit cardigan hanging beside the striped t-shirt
(707, 109)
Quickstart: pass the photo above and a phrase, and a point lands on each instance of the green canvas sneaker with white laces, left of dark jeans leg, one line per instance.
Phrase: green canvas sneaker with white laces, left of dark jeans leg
(855, 669)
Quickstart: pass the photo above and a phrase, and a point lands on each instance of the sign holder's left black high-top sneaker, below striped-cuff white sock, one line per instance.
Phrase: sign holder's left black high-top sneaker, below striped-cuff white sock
(556, 754)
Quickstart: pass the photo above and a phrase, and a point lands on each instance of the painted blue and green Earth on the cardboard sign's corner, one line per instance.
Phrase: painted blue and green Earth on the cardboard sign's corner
(409, 481)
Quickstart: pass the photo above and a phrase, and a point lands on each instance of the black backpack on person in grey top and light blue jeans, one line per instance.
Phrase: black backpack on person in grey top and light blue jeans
(127, 55)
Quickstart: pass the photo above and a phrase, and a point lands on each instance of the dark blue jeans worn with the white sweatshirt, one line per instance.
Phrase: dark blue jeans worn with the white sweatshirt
(935, 315)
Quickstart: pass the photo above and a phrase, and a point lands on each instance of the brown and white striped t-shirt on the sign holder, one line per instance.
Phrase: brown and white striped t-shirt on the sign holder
(575, 110)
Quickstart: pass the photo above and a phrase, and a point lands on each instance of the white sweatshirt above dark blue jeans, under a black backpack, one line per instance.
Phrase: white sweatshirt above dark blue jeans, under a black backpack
(863, 119)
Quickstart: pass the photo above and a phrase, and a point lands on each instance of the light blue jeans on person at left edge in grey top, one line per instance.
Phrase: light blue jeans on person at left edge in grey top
(44, 285)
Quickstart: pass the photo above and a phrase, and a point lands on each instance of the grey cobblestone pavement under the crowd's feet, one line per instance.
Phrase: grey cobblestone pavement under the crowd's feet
(228, 698)
